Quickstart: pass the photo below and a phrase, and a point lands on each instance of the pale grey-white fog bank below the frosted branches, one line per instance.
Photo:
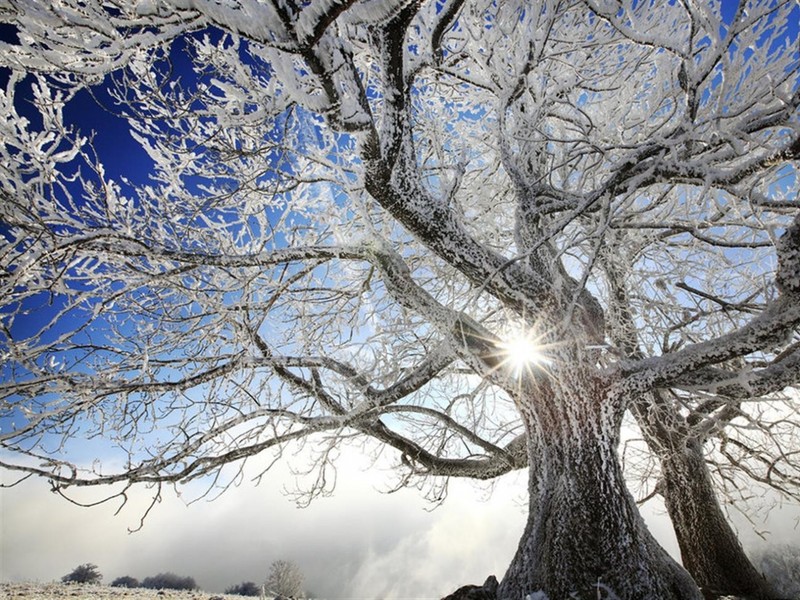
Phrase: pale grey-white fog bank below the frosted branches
(359, 543)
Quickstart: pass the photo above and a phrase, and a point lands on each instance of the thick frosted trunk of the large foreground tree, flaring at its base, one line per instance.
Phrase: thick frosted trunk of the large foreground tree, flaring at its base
(584, 533)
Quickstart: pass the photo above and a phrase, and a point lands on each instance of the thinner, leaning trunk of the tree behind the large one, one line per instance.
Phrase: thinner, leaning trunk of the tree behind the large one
(710, 550)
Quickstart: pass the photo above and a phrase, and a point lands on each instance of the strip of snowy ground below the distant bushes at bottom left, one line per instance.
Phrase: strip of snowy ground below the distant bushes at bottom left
(48, 591)
